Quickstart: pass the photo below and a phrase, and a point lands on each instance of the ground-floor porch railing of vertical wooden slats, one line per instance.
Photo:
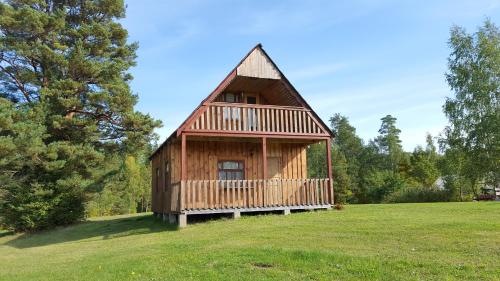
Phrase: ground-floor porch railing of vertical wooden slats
(230, 194)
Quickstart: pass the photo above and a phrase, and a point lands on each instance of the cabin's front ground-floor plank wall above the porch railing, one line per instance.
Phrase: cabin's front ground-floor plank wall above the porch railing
(203, 156)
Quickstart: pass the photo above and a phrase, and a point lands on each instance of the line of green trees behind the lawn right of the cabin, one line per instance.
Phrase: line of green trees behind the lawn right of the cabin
(467, 164)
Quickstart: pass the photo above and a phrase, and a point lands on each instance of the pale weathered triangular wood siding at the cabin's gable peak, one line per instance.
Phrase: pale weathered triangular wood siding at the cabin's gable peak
(256, 64)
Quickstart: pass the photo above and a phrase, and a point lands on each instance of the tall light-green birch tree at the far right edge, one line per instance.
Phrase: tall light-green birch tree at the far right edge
(473, 112)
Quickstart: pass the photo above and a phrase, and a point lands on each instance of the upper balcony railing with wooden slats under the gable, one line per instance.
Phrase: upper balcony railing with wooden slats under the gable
(256, 118)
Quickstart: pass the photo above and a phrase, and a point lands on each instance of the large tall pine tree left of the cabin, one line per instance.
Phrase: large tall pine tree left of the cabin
(67, 61)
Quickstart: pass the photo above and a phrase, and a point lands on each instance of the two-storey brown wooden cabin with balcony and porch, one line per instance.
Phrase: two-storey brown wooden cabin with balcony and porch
(243, 149)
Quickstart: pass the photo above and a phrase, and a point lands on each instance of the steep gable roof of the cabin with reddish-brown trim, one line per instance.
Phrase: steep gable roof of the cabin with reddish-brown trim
(256, 58)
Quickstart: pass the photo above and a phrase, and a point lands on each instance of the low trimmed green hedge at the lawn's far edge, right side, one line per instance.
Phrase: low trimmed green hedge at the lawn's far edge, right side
(417, 194)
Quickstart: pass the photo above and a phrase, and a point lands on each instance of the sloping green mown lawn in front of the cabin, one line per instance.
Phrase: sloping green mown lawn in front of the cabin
(443, 241)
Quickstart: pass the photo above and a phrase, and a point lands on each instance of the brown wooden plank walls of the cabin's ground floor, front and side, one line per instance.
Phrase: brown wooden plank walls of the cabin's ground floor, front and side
(202, 158)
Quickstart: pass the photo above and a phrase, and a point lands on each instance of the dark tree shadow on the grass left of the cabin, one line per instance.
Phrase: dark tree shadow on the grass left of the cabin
(93, 230)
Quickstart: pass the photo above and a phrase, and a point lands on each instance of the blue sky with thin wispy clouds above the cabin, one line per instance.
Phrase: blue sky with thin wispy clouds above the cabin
(363, 59)
